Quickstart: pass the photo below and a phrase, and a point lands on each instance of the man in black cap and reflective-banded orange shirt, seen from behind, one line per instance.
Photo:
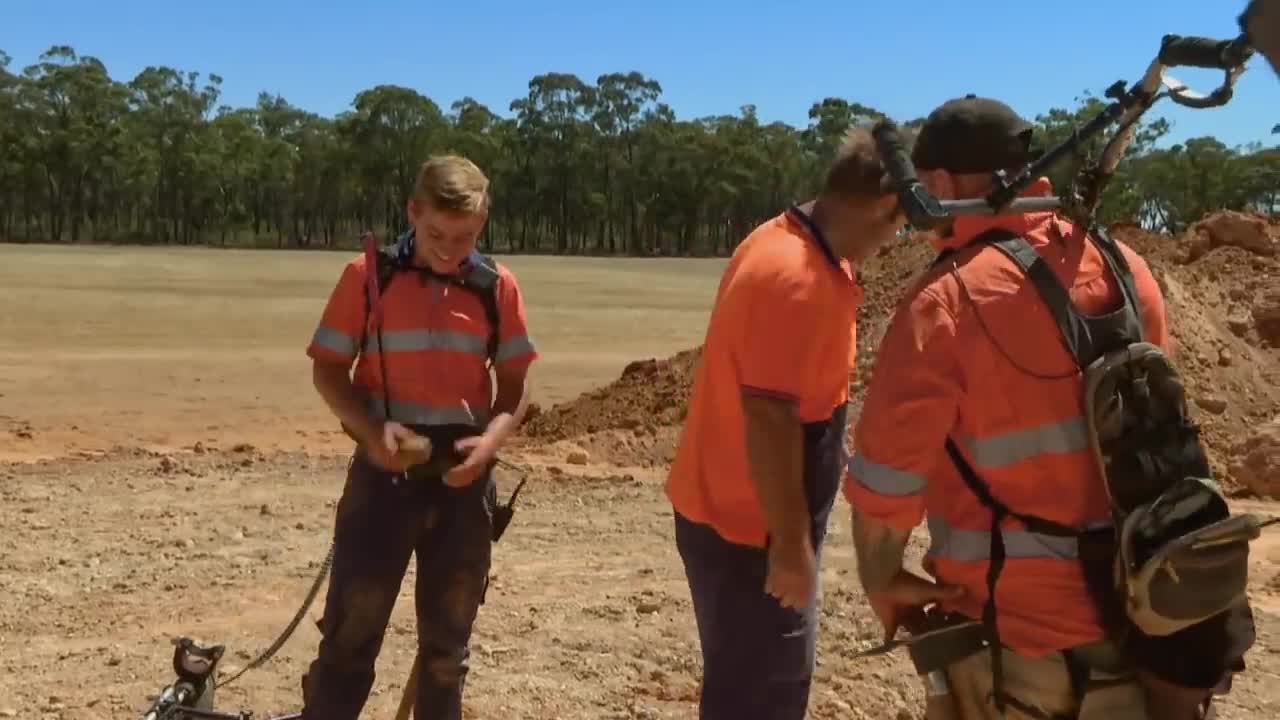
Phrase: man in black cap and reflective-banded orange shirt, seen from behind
(973, 357)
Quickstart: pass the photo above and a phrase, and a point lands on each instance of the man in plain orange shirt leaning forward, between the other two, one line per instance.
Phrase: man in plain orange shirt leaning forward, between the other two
(764, 448)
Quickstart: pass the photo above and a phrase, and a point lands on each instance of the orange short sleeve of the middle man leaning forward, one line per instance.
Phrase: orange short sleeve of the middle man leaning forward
(785, 331)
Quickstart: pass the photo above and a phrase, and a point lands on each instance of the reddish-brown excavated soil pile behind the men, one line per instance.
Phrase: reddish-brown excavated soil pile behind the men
(1222, 284)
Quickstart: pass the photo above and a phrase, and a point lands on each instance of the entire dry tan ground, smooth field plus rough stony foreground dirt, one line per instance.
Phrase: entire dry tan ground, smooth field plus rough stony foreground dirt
(121, 532)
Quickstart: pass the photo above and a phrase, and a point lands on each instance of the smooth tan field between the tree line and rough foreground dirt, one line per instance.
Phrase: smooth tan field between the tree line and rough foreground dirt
(163, 348)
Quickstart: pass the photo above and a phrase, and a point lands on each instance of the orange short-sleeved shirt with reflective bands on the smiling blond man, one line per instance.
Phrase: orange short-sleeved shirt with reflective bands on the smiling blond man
(436, 336)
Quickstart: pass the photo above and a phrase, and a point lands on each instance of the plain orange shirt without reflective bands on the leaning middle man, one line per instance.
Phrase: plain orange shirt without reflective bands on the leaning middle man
(783, 325)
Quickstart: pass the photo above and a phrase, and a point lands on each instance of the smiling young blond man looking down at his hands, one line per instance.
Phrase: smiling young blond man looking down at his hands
(423, 367)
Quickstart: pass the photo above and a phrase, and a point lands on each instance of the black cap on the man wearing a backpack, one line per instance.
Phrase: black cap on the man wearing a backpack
(972, 135)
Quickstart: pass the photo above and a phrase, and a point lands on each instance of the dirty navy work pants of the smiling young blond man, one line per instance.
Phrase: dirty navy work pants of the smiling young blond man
(380, 526)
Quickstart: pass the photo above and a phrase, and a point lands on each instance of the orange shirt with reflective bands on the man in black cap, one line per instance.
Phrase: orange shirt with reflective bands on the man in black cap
(975, 354)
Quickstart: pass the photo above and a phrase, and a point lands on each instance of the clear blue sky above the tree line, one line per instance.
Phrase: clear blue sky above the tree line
(710, 56)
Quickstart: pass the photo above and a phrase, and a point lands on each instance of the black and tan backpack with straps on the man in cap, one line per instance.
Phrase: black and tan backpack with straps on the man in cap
(1169, 575)
